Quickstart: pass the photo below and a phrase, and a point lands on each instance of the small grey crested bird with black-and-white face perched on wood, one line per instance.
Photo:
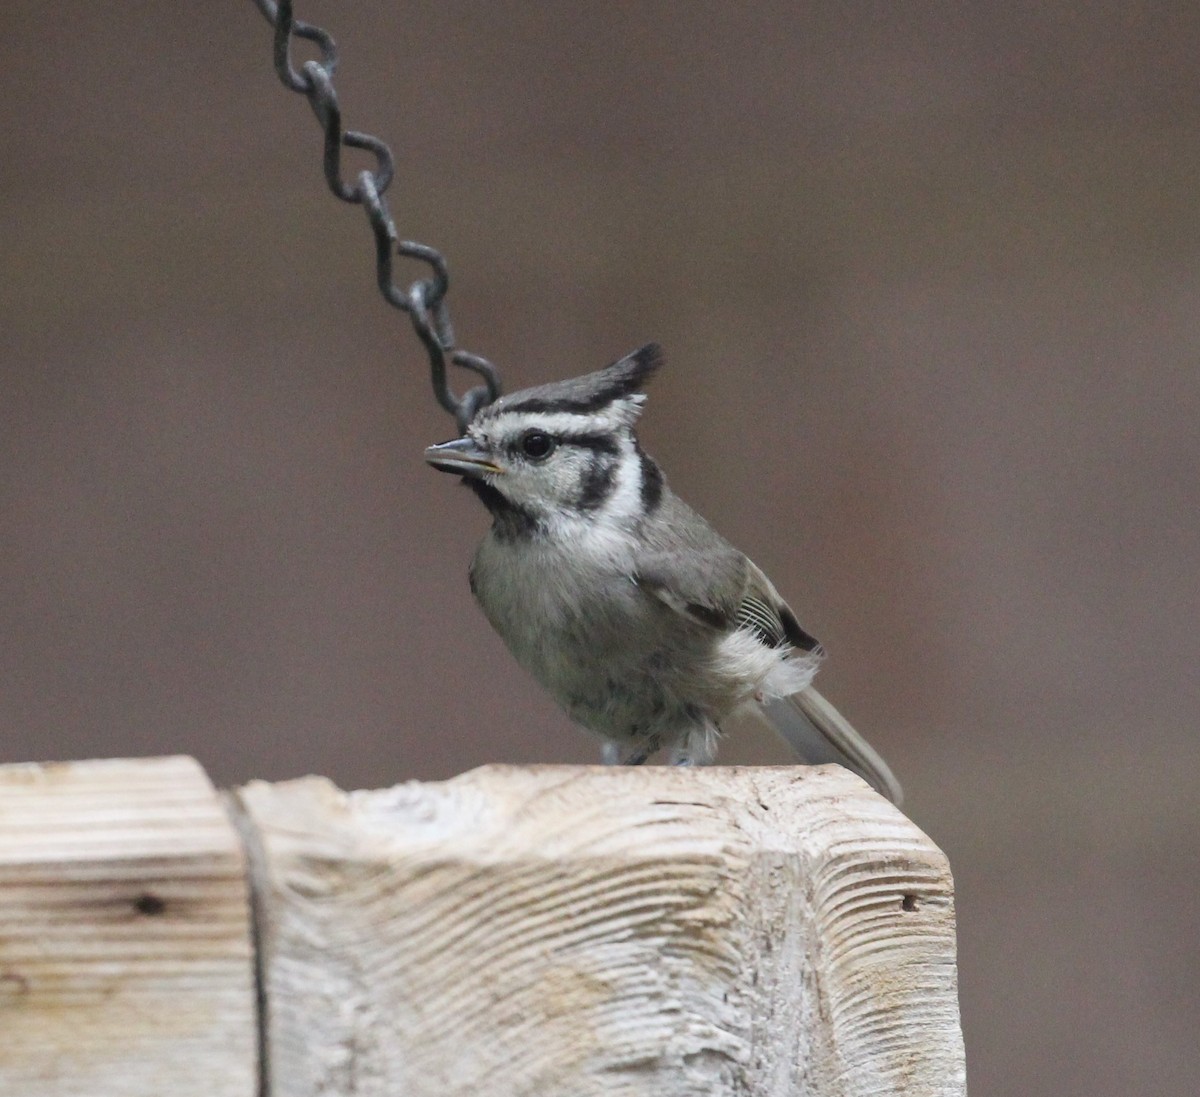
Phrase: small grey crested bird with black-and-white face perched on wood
(645, 625)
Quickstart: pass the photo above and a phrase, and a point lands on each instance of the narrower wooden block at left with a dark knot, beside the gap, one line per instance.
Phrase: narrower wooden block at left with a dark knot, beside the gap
(125, 956)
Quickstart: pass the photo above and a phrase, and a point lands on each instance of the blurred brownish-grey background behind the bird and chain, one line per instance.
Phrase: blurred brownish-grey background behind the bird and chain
(929, 283)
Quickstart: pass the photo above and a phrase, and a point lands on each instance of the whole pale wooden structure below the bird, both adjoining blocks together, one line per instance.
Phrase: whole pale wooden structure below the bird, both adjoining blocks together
(545, 932)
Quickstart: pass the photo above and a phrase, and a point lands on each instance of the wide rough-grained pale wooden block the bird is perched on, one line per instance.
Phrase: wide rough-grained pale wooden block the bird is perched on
(572, 932)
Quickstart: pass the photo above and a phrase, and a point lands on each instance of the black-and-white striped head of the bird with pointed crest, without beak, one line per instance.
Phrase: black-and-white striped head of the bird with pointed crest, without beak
(568, 452)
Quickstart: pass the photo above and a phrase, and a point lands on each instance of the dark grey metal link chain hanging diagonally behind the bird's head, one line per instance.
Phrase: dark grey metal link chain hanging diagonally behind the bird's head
(425, 299)
